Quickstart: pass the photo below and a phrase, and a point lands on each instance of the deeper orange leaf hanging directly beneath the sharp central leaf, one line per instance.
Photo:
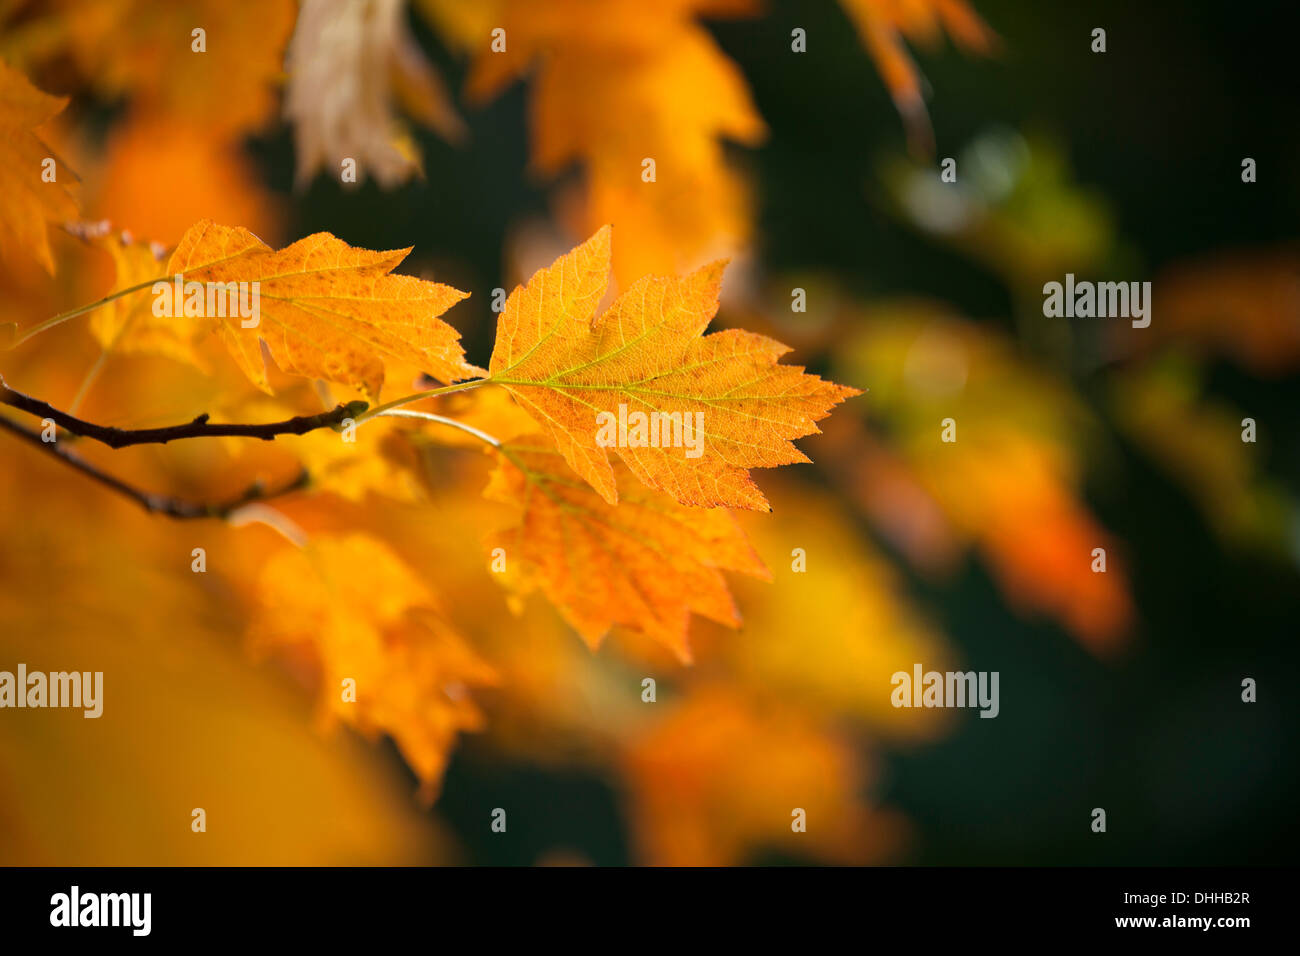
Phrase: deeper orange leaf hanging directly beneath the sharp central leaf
(645, 565)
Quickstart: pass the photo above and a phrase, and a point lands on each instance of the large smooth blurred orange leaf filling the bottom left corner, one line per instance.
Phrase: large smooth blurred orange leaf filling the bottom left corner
(179, 686)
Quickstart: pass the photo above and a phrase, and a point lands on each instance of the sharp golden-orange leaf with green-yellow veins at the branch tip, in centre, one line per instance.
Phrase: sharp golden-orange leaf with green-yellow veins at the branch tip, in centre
(645, 354)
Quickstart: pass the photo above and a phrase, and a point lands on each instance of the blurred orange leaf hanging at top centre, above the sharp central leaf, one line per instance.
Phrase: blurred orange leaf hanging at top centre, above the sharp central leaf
(614, 84)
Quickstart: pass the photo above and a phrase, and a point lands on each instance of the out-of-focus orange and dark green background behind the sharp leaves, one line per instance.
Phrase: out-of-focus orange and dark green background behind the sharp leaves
(1119, 691)
